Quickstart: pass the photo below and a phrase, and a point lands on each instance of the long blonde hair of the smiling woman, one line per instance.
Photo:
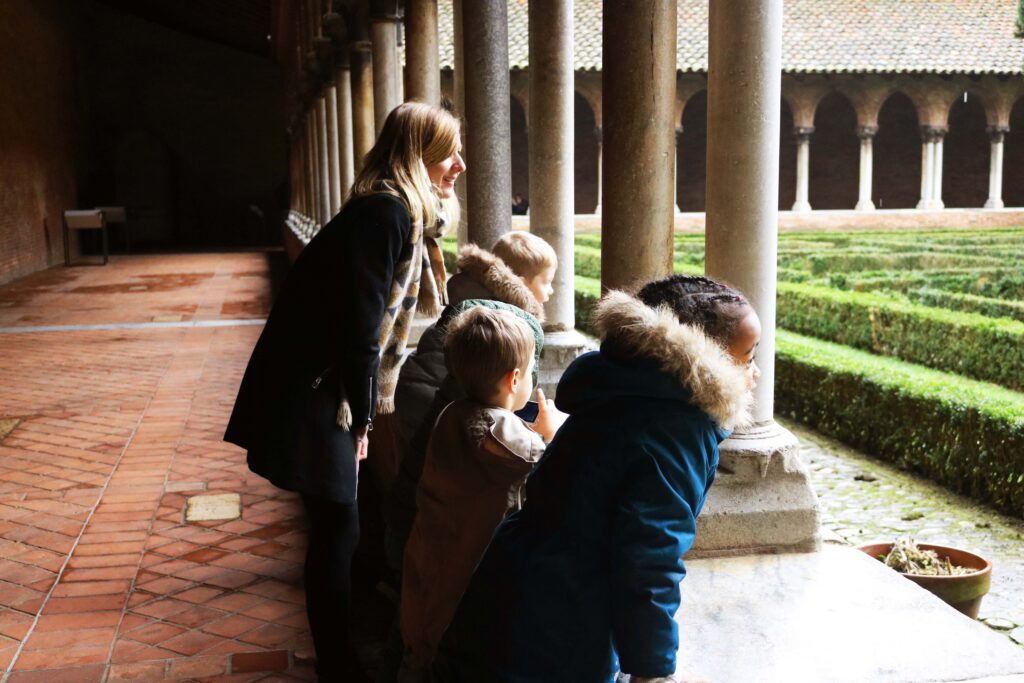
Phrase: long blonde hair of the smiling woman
(415, 136)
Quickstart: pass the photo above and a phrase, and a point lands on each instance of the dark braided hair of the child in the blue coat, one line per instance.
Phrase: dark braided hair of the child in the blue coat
(714, 307)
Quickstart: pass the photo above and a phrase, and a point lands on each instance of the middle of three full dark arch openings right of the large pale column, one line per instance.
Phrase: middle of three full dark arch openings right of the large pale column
(898, 155)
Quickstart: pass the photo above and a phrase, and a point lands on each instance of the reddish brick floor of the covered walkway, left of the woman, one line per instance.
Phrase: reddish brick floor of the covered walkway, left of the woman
(101, 578)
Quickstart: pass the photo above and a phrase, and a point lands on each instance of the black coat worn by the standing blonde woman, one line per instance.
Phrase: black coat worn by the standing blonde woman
(322, 334)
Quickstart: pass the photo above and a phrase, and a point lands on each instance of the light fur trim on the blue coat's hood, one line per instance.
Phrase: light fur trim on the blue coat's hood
(716, 385)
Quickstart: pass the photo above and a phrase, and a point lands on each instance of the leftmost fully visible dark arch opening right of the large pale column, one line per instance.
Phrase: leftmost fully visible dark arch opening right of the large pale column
(835, 154)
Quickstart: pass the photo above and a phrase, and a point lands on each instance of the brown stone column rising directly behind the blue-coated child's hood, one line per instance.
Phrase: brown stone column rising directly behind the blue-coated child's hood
(638, 84)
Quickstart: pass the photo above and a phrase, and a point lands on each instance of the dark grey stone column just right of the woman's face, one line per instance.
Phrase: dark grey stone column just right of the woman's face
(489, 153)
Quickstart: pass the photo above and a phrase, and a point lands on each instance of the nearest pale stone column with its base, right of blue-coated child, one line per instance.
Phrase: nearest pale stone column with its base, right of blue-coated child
(762, 500)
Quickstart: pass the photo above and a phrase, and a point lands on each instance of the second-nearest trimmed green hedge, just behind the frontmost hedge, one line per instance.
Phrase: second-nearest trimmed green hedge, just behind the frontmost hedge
(970, 345)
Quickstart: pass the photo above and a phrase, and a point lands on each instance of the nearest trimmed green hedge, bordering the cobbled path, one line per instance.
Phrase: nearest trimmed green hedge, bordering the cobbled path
(966, 436)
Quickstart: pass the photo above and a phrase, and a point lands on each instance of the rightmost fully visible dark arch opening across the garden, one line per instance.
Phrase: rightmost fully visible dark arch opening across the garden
(965, 166)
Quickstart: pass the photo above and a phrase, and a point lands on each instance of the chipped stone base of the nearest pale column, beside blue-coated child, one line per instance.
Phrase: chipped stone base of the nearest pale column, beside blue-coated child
(762, 500)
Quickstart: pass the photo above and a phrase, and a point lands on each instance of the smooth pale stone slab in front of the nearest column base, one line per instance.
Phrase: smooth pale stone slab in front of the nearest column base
(837, 617)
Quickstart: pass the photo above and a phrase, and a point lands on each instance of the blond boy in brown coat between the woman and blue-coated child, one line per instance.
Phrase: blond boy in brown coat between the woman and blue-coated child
(478, 460)
